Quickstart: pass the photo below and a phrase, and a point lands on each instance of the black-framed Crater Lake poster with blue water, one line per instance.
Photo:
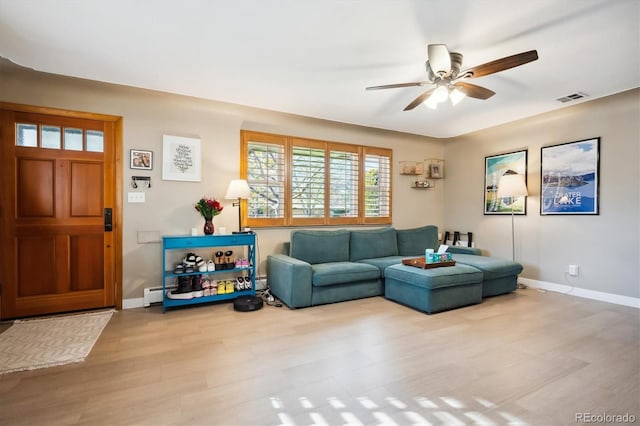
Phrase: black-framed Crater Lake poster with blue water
(569, 181)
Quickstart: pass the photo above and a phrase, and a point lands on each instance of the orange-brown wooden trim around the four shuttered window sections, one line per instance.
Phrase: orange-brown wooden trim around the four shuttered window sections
(288, 142)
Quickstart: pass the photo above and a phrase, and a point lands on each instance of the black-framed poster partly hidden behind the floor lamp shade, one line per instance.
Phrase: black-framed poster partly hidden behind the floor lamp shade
(495, 166)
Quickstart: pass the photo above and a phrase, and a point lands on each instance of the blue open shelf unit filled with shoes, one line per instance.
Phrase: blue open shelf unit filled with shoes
(186, 244)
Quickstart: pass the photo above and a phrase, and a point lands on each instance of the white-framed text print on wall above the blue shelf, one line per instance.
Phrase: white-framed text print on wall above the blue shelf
(181, 158)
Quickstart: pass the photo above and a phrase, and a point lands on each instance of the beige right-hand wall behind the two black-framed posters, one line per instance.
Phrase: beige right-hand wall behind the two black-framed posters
(605, 247)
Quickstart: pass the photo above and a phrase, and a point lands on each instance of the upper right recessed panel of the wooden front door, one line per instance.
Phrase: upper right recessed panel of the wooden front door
(86, 194)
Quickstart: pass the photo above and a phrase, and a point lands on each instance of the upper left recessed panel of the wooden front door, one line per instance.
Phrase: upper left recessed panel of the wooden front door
(35, 187)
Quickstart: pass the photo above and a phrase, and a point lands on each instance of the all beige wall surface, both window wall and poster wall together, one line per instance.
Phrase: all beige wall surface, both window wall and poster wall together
(605, 246)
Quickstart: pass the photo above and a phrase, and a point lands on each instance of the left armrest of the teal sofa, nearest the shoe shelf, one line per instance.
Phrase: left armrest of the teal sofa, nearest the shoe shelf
(289, 280)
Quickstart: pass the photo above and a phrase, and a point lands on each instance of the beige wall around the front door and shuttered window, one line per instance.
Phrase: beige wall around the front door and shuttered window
(169, 209)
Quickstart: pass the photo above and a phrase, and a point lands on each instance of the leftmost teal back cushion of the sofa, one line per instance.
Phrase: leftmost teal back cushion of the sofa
(320, 246)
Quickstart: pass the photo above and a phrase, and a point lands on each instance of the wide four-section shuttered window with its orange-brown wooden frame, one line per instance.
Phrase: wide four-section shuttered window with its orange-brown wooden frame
(303, 182)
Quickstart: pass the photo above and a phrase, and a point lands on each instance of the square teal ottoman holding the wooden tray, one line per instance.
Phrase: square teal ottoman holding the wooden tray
(433, 290)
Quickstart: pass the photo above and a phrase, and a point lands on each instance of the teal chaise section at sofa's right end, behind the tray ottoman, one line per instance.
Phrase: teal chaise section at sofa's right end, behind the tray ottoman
(499, 276)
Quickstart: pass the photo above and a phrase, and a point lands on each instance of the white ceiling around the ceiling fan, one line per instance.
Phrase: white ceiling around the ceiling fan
(315, 58)
